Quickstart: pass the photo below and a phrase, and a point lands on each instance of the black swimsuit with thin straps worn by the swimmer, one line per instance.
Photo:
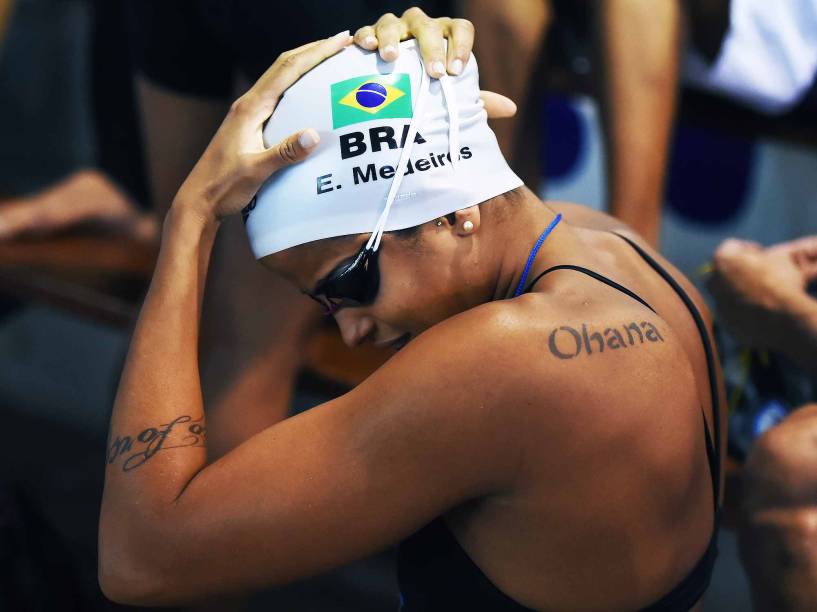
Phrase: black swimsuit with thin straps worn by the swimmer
(435, 573)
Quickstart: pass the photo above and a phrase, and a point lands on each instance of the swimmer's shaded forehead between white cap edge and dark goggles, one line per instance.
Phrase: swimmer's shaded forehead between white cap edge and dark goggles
(305, 264)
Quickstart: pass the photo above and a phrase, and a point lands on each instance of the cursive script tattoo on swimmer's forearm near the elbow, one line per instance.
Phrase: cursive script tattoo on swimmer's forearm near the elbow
(181, 432)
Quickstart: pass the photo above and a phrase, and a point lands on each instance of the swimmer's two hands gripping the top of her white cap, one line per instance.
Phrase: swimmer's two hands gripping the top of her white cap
(236, 162)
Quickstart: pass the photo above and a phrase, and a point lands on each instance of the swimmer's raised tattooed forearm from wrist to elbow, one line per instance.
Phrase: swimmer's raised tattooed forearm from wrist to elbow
(156, 439)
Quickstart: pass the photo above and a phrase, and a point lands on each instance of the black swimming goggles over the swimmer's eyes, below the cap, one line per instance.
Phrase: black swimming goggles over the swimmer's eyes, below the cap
(355, 282)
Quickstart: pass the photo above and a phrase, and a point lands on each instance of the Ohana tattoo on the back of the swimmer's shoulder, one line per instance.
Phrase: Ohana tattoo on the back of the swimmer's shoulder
(566, 342)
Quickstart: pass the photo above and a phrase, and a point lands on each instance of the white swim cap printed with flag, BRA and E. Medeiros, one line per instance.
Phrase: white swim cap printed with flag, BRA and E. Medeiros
(397, 149)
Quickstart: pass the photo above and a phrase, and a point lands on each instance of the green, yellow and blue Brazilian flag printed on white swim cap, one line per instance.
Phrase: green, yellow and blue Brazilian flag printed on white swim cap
(365, 98)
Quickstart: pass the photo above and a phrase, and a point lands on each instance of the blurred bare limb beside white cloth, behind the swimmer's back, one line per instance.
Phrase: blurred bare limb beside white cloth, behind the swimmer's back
(638, 42)
